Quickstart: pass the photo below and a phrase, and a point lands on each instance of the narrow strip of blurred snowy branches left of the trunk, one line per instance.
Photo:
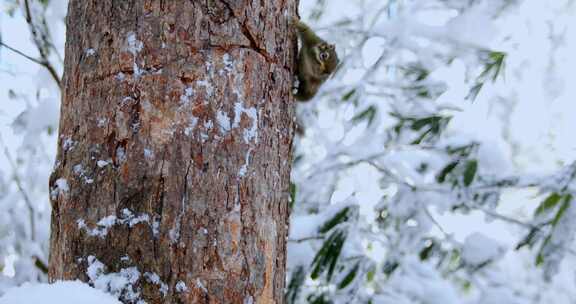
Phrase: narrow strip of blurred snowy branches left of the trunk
(29, 119)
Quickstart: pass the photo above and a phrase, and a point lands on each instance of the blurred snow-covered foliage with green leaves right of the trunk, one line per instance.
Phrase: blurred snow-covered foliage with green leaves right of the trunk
(383, 166)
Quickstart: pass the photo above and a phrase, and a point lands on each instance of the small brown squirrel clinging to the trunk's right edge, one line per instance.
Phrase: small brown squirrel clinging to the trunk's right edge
(317, 60)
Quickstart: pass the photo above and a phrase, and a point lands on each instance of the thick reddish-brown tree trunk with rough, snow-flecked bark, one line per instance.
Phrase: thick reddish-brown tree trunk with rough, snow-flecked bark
(173, 166)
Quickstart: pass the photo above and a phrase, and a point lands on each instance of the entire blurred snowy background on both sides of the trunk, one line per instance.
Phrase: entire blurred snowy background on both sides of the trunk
(437, 165)
